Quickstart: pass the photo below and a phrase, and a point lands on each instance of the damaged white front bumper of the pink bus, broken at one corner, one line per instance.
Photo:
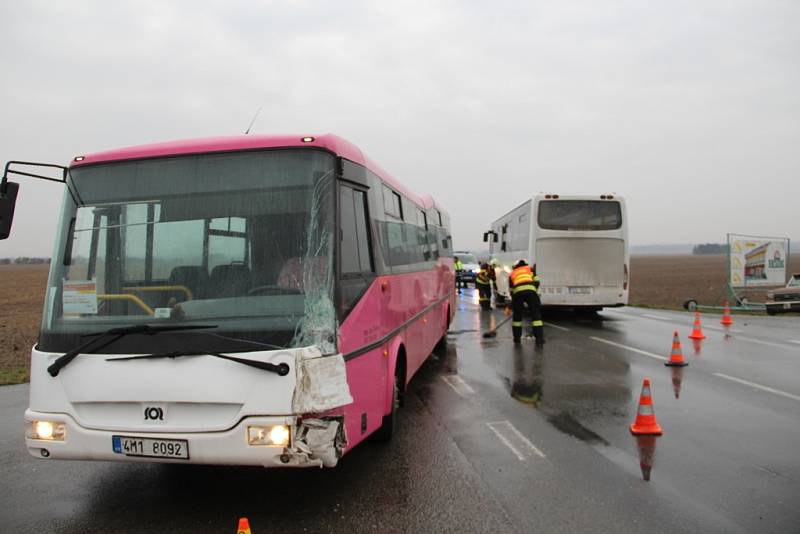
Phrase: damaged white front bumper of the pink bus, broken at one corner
(313, 443)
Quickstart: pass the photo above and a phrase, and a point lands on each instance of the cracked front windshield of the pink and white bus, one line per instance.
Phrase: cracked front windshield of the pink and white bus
(241, 241)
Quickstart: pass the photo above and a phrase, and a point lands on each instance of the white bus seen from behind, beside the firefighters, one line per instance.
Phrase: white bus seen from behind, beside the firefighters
(579, 244)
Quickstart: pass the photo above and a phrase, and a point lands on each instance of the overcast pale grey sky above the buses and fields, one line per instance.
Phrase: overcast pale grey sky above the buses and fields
(691, 110)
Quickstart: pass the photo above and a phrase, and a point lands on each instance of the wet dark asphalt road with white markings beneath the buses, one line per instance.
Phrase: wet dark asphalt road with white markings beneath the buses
(494, 438)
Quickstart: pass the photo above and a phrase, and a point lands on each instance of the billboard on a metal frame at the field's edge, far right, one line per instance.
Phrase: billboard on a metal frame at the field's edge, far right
(757, 261)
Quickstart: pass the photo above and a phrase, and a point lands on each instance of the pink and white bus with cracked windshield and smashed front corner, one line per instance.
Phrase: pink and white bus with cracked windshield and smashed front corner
(248, 300)
